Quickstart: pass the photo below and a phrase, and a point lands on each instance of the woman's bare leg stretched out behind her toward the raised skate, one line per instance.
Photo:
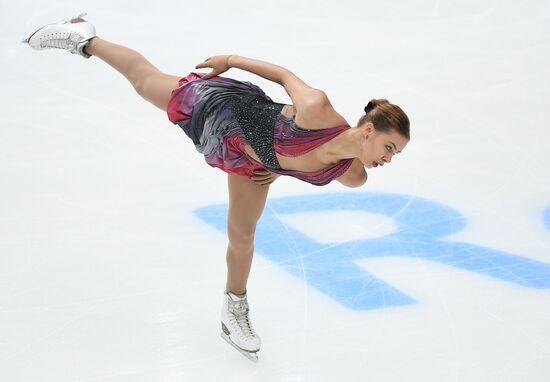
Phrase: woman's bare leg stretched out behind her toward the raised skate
(150, 83)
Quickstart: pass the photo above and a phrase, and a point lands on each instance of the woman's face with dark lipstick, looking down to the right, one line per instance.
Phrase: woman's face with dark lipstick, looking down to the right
(378, 148)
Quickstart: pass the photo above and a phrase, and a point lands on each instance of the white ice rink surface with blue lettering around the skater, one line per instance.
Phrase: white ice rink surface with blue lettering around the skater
(112, 244)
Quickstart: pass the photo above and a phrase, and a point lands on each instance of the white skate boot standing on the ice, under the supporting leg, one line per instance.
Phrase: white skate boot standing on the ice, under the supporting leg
(236, 327)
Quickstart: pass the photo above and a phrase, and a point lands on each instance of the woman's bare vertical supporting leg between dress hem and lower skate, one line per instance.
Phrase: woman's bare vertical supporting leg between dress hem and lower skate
(246, 203)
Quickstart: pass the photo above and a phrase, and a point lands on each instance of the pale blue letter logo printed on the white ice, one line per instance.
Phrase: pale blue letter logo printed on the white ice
(422, 226)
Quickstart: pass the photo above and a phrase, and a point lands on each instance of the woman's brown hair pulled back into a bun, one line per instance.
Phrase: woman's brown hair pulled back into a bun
(385, 116)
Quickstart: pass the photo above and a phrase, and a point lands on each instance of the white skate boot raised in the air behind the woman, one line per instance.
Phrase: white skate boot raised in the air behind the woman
(72, 35)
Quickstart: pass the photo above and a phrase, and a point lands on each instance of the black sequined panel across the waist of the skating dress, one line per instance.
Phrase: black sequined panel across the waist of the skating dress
(256, 117)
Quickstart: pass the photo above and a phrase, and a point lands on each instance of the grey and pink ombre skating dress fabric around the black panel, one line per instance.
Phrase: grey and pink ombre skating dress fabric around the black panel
(205, 110)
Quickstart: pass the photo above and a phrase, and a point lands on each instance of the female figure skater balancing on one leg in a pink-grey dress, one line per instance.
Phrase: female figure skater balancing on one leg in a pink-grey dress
(240, 130)
